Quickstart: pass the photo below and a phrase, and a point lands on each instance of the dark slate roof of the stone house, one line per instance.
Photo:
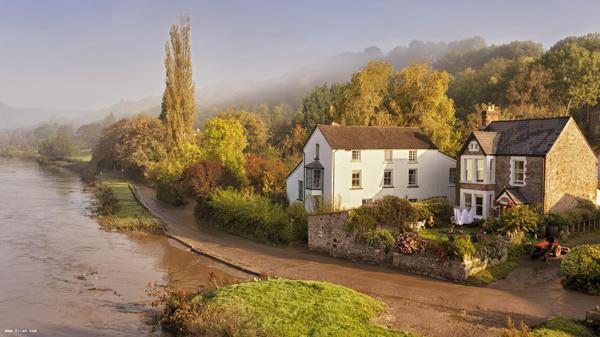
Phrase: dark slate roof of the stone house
(527, 137)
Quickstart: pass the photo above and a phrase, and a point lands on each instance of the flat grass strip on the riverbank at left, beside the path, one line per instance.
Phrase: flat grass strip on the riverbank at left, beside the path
(130, 216)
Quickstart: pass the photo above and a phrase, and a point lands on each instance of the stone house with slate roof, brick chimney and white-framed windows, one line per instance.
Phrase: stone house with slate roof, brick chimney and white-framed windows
(545, 162)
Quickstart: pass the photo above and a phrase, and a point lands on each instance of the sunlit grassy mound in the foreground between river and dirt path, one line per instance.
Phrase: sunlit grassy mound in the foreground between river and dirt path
(285, 308)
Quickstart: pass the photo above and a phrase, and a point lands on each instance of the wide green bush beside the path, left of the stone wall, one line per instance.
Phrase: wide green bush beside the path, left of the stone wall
(247, 213)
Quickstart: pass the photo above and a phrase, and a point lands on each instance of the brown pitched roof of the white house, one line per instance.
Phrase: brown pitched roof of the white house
(374, 137)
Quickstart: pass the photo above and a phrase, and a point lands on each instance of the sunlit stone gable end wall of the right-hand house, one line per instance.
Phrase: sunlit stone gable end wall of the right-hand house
(571, 171)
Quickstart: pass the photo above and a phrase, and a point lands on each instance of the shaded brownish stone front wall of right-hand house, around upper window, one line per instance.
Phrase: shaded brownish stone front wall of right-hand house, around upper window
(534, 178)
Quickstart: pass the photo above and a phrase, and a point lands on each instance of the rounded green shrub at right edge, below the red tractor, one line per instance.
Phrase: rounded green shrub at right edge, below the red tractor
(582, 269)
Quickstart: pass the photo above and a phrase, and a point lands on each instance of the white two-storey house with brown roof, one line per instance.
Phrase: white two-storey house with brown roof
(347, 166)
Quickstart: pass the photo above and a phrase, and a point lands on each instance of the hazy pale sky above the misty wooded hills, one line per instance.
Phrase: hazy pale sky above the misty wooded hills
(90, 54)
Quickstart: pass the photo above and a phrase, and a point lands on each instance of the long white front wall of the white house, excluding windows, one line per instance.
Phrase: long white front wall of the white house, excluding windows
(432, 170)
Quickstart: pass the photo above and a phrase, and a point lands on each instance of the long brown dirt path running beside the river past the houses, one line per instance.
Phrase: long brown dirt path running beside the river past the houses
(428, 307)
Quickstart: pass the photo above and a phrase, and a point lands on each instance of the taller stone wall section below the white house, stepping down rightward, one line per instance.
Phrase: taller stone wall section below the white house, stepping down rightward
(328, 233)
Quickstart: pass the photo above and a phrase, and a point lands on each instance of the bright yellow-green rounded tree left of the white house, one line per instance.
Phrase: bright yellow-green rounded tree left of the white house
(224, 140)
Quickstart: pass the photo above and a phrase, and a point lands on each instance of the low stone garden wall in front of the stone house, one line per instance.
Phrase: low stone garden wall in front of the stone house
(447, 269)
